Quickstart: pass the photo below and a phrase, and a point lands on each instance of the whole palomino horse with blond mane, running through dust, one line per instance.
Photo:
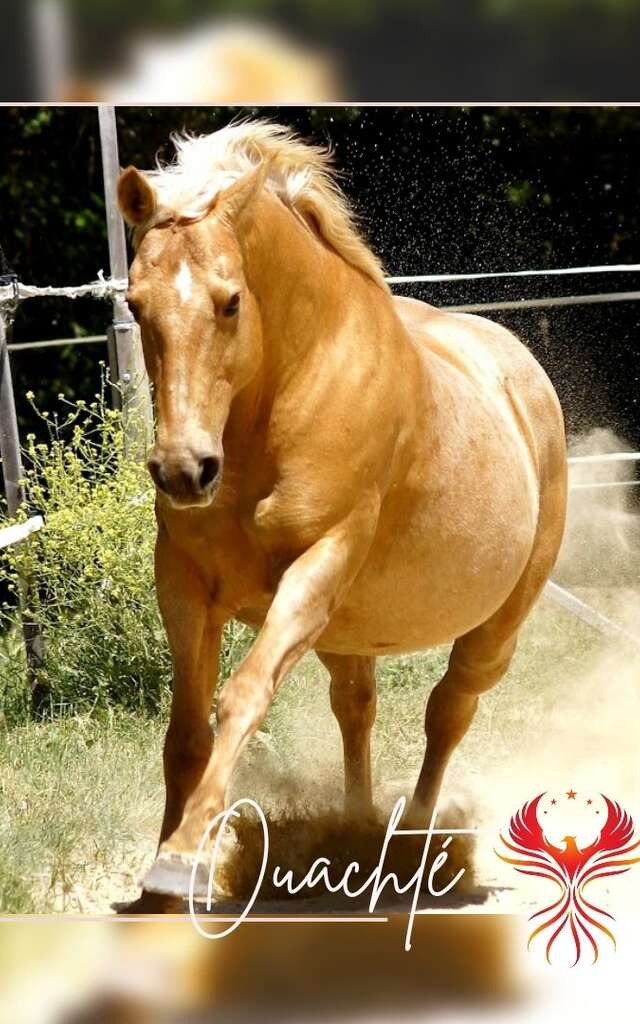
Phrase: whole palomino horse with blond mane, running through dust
(344, 471)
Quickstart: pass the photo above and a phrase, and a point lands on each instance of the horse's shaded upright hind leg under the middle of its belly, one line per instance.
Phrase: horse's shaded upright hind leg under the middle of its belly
(354, 704)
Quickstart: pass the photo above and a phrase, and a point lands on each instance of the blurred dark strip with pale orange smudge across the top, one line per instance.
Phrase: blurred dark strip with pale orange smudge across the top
(293, 52)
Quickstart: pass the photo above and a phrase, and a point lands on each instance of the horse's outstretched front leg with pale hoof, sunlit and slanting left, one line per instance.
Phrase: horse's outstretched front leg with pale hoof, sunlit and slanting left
(301, 612)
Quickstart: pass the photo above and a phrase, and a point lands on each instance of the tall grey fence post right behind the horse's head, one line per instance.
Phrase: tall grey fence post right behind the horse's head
(125, 351)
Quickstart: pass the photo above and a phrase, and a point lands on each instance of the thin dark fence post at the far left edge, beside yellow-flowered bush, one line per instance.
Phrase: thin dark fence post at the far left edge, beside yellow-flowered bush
(14, 475)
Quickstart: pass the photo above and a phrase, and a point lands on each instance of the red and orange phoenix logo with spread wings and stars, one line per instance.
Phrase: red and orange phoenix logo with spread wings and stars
(572, 870)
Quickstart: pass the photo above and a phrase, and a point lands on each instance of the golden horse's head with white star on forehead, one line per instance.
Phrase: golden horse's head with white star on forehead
(201, 329)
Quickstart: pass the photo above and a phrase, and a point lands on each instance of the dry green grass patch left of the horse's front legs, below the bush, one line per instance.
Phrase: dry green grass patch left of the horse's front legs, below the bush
(80, 800)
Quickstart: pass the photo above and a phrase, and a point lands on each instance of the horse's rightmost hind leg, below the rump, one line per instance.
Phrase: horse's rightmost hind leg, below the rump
(481, 659)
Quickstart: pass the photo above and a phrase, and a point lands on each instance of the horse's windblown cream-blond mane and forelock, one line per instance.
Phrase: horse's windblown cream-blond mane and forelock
(301, 175)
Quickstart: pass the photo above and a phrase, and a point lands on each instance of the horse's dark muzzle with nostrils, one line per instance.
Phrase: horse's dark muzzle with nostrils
(188, 479)
